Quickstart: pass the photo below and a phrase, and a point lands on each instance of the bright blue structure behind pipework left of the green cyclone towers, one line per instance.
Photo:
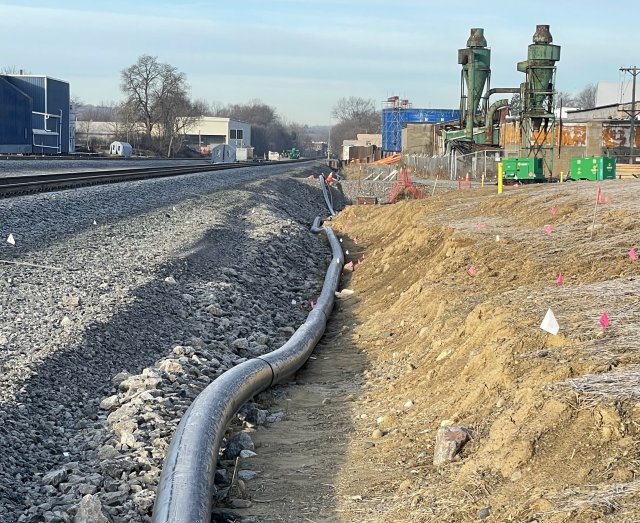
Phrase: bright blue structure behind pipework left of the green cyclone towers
(394, 119)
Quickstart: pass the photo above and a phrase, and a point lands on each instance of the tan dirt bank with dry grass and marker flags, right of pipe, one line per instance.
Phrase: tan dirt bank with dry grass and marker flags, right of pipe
(442, 327)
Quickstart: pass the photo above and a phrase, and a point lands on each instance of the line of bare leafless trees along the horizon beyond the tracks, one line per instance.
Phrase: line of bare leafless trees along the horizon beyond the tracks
(157, 113)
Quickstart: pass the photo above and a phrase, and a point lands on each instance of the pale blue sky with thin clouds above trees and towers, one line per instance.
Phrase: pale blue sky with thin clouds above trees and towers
(301, 56)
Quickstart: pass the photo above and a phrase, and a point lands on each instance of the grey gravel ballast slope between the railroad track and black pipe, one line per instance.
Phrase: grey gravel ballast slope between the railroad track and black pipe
(122, 302)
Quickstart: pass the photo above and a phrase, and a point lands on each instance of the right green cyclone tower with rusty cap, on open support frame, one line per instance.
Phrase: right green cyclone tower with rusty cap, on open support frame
(537, 95)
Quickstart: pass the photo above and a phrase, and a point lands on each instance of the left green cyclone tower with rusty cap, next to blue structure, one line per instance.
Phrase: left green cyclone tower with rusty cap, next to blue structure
(476, 70)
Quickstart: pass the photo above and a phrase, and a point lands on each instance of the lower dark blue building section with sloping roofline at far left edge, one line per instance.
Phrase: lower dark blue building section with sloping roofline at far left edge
(15, 120)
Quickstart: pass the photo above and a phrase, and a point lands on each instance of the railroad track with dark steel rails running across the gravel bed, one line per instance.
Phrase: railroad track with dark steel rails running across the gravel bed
(20, 185)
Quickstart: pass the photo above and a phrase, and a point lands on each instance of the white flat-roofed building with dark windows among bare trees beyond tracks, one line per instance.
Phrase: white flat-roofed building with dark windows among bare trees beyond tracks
(209, 131)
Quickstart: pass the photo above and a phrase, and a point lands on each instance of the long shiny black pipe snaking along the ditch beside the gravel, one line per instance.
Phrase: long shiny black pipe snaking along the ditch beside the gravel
(186, 487)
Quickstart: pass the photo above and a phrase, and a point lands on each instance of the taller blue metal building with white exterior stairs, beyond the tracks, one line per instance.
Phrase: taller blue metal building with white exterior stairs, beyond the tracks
(50, 106)
